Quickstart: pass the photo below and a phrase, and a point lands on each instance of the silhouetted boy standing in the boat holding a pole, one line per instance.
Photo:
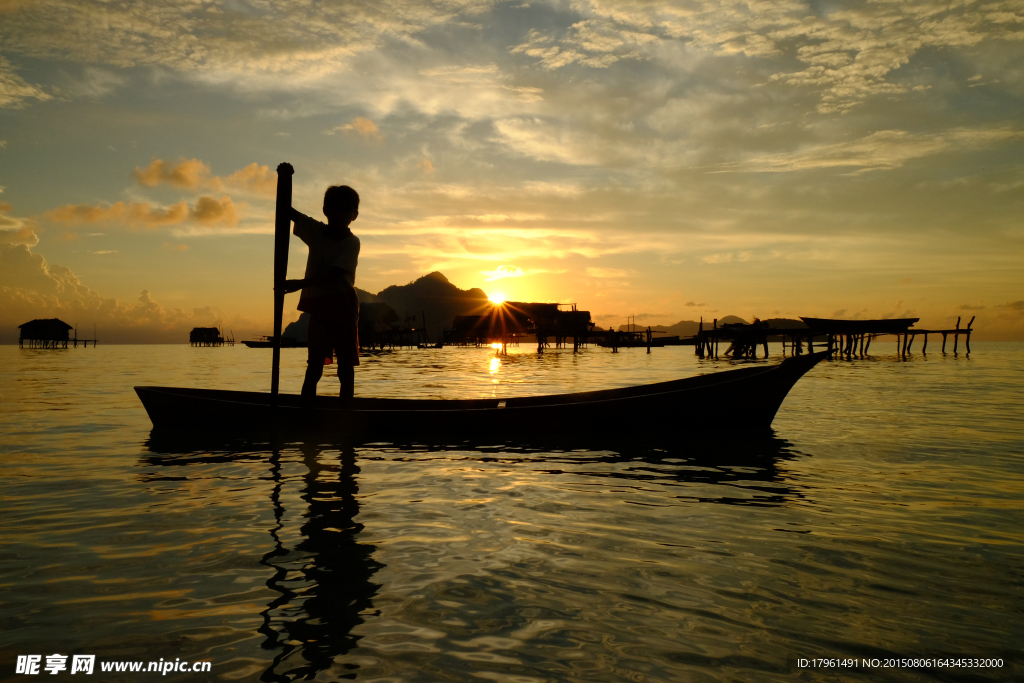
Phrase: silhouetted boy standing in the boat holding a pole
(329, 290)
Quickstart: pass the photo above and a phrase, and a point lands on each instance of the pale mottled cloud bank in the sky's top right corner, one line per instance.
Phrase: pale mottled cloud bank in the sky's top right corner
(848, 53)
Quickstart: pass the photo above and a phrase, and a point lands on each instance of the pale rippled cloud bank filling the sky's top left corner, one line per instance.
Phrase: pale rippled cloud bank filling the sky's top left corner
(281, 42)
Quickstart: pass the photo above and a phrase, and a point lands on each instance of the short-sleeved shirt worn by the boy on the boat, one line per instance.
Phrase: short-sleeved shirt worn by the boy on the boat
(326, 253)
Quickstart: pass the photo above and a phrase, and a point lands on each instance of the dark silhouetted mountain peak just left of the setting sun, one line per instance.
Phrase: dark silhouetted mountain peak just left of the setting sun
(435, 296)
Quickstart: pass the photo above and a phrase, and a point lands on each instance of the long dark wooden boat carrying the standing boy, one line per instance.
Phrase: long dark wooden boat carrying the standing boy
(744, 400)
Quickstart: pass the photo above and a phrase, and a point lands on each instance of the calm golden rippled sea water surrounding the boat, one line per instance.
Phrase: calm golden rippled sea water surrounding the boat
(884, 519)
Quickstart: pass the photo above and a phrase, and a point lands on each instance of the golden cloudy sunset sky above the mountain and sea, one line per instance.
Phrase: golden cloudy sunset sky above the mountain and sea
(668, 160)
